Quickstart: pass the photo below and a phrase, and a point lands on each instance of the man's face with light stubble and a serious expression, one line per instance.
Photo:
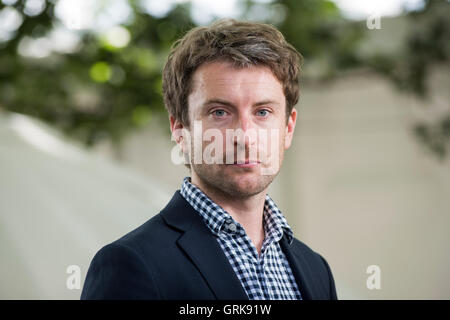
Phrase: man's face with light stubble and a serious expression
(241, 112)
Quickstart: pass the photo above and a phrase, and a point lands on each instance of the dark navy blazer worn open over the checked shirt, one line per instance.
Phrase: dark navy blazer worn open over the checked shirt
(174, 256)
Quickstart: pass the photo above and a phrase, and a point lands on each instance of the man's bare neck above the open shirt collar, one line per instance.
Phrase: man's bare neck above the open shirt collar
(247, 211)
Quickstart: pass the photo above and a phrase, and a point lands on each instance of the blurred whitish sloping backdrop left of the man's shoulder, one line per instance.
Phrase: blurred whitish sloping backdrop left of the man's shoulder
(59, 204)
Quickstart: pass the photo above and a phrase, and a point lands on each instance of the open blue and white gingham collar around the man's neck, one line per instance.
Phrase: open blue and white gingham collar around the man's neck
(275, 224)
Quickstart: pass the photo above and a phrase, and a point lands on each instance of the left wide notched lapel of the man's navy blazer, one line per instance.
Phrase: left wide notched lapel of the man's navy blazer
(201, 246)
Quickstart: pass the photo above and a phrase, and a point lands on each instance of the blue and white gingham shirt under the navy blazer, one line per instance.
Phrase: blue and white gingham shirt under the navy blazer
(264, 277)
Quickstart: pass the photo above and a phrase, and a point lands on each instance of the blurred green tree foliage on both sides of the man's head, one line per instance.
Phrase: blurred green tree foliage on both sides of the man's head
(110, 84)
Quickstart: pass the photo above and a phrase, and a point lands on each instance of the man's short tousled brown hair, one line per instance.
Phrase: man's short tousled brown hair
(242, 43)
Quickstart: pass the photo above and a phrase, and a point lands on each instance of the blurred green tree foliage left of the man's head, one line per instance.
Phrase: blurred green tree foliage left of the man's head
(101, 90)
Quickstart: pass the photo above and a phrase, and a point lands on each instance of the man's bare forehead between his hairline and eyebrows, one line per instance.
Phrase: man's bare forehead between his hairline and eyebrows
(221, 77)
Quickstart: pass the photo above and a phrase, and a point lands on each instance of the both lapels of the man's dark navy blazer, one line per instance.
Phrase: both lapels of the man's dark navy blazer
(201, 246)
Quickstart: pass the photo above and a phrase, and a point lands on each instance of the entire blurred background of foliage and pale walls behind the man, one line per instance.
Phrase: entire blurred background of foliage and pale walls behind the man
(85, 143)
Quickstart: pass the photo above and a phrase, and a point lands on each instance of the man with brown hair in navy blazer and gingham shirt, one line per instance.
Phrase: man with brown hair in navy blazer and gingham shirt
(221, 236)
